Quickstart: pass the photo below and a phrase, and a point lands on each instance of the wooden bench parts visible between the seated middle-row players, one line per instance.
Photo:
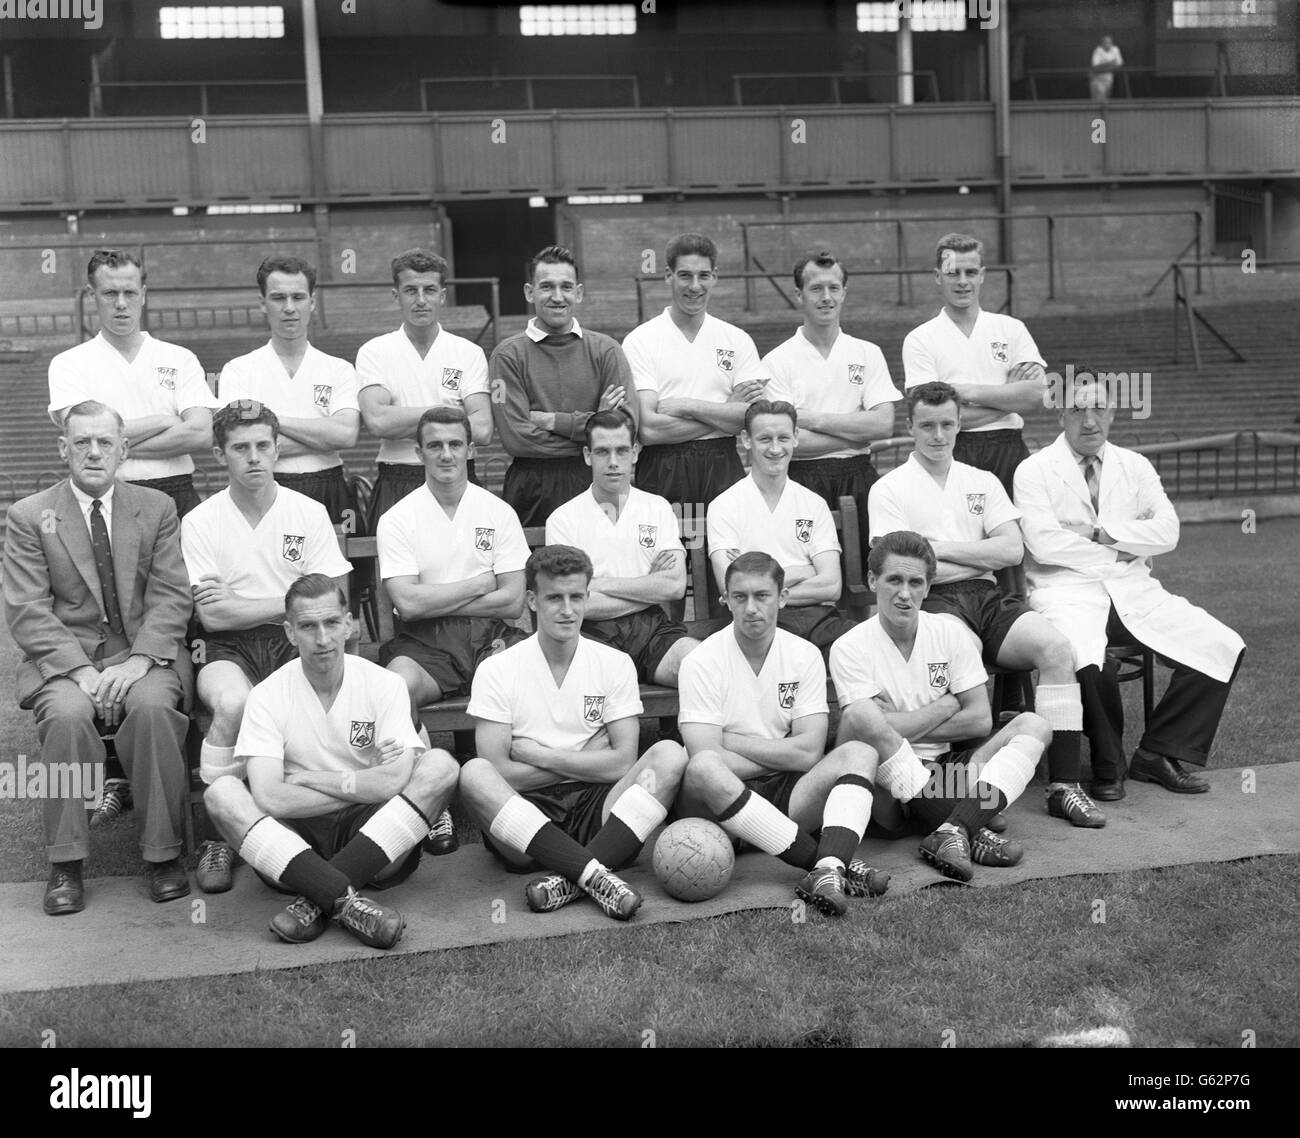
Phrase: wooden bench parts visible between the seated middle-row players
(708, 613)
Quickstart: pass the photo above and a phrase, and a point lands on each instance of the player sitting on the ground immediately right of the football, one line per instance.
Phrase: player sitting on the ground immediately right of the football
(755, 716)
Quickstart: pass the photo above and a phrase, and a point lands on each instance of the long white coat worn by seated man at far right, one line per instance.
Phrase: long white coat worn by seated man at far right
(1074, 582)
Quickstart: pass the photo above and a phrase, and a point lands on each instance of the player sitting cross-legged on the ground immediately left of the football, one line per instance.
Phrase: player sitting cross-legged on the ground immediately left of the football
(557, 781)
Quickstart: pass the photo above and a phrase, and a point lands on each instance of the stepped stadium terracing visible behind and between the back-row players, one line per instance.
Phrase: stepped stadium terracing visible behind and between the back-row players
(1262, 393)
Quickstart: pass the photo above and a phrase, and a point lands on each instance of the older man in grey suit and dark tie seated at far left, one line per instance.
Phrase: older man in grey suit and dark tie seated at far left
(97, 599)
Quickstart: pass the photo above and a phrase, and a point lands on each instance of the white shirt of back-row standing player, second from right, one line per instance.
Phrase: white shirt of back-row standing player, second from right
(853, 378)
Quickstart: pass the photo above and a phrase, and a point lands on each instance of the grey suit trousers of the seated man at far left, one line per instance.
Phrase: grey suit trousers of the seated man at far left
(151, 746)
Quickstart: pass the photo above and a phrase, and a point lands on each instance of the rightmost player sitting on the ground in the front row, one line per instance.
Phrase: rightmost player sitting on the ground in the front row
(912, 686)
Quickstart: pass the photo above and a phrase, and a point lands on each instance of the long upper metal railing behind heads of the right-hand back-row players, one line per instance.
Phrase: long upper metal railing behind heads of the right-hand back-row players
(902, 256)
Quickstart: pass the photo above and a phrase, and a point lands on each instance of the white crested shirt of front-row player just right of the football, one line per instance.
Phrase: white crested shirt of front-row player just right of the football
(718, 686)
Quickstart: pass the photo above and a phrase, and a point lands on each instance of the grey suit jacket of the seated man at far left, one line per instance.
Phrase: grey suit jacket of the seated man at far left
(54, 602)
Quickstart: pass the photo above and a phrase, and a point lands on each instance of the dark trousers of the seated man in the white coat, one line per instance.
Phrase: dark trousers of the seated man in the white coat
(1182, 725)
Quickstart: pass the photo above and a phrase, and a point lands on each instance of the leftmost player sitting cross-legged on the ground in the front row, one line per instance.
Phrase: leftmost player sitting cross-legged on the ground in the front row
(340, 789)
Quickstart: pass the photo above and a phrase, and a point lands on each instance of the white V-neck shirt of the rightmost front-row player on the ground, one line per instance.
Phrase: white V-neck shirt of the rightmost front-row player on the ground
(865, 663)
